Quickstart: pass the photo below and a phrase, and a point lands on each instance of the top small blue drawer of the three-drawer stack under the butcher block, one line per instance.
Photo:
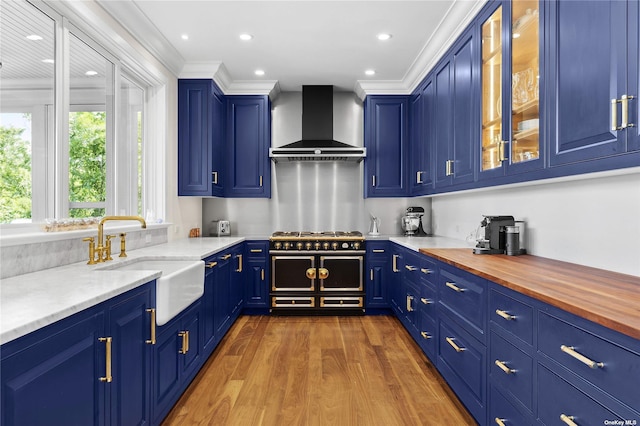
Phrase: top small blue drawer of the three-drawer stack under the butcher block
(512, 315)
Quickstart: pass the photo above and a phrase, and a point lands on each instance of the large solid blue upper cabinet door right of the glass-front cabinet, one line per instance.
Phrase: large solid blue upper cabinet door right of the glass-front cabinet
(586, 70)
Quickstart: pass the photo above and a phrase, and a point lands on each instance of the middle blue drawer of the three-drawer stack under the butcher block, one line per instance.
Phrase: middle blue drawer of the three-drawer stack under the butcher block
(512, 369)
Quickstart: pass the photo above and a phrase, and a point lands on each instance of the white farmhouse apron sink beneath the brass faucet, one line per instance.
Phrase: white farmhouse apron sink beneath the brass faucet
(181, 283)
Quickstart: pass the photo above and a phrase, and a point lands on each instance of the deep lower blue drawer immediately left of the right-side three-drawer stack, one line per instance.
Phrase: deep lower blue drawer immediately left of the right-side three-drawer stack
(462, 362)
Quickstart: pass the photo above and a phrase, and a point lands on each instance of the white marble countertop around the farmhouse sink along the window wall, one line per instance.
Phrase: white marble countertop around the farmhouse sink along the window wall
(31, 301)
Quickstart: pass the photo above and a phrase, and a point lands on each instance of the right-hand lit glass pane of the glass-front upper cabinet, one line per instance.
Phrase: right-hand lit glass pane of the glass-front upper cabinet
(525, 76)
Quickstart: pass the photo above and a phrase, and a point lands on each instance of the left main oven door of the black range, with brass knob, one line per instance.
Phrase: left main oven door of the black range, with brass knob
(293, 273)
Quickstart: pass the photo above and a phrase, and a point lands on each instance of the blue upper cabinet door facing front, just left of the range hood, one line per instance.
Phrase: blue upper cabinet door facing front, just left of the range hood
(248, 140)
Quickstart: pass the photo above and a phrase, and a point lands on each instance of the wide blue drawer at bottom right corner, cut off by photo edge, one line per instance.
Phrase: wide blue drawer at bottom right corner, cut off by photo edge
(558, 398)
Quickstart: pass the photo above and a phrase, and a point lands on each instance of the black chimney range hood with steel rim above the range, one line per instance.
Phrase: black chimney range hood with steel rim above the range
(317, 142)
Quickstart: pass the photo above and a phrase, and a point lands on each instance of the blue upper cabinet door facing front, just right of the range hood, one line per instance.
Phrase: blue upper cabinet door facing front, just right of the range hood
(385, 137)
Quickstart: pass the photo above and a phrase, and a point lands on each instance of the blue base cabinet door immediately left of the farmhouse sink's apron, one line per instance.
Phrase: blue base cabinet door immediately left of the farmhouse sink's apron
(130, 328)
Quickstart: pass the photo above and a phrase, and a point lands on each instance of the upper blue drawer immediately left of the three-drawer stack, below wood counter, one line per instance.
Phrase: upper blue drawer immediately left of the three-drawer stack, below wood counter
(464, 296)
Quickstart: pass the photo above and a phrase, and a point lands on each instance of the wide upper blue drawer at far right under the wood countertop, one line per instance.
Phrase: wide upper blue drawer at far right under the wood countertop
(615, 369)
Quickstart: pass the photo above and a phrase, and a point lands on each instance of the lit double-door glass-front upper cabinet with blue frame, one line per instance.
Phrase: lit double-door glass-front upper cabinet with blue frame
(510, 58)
